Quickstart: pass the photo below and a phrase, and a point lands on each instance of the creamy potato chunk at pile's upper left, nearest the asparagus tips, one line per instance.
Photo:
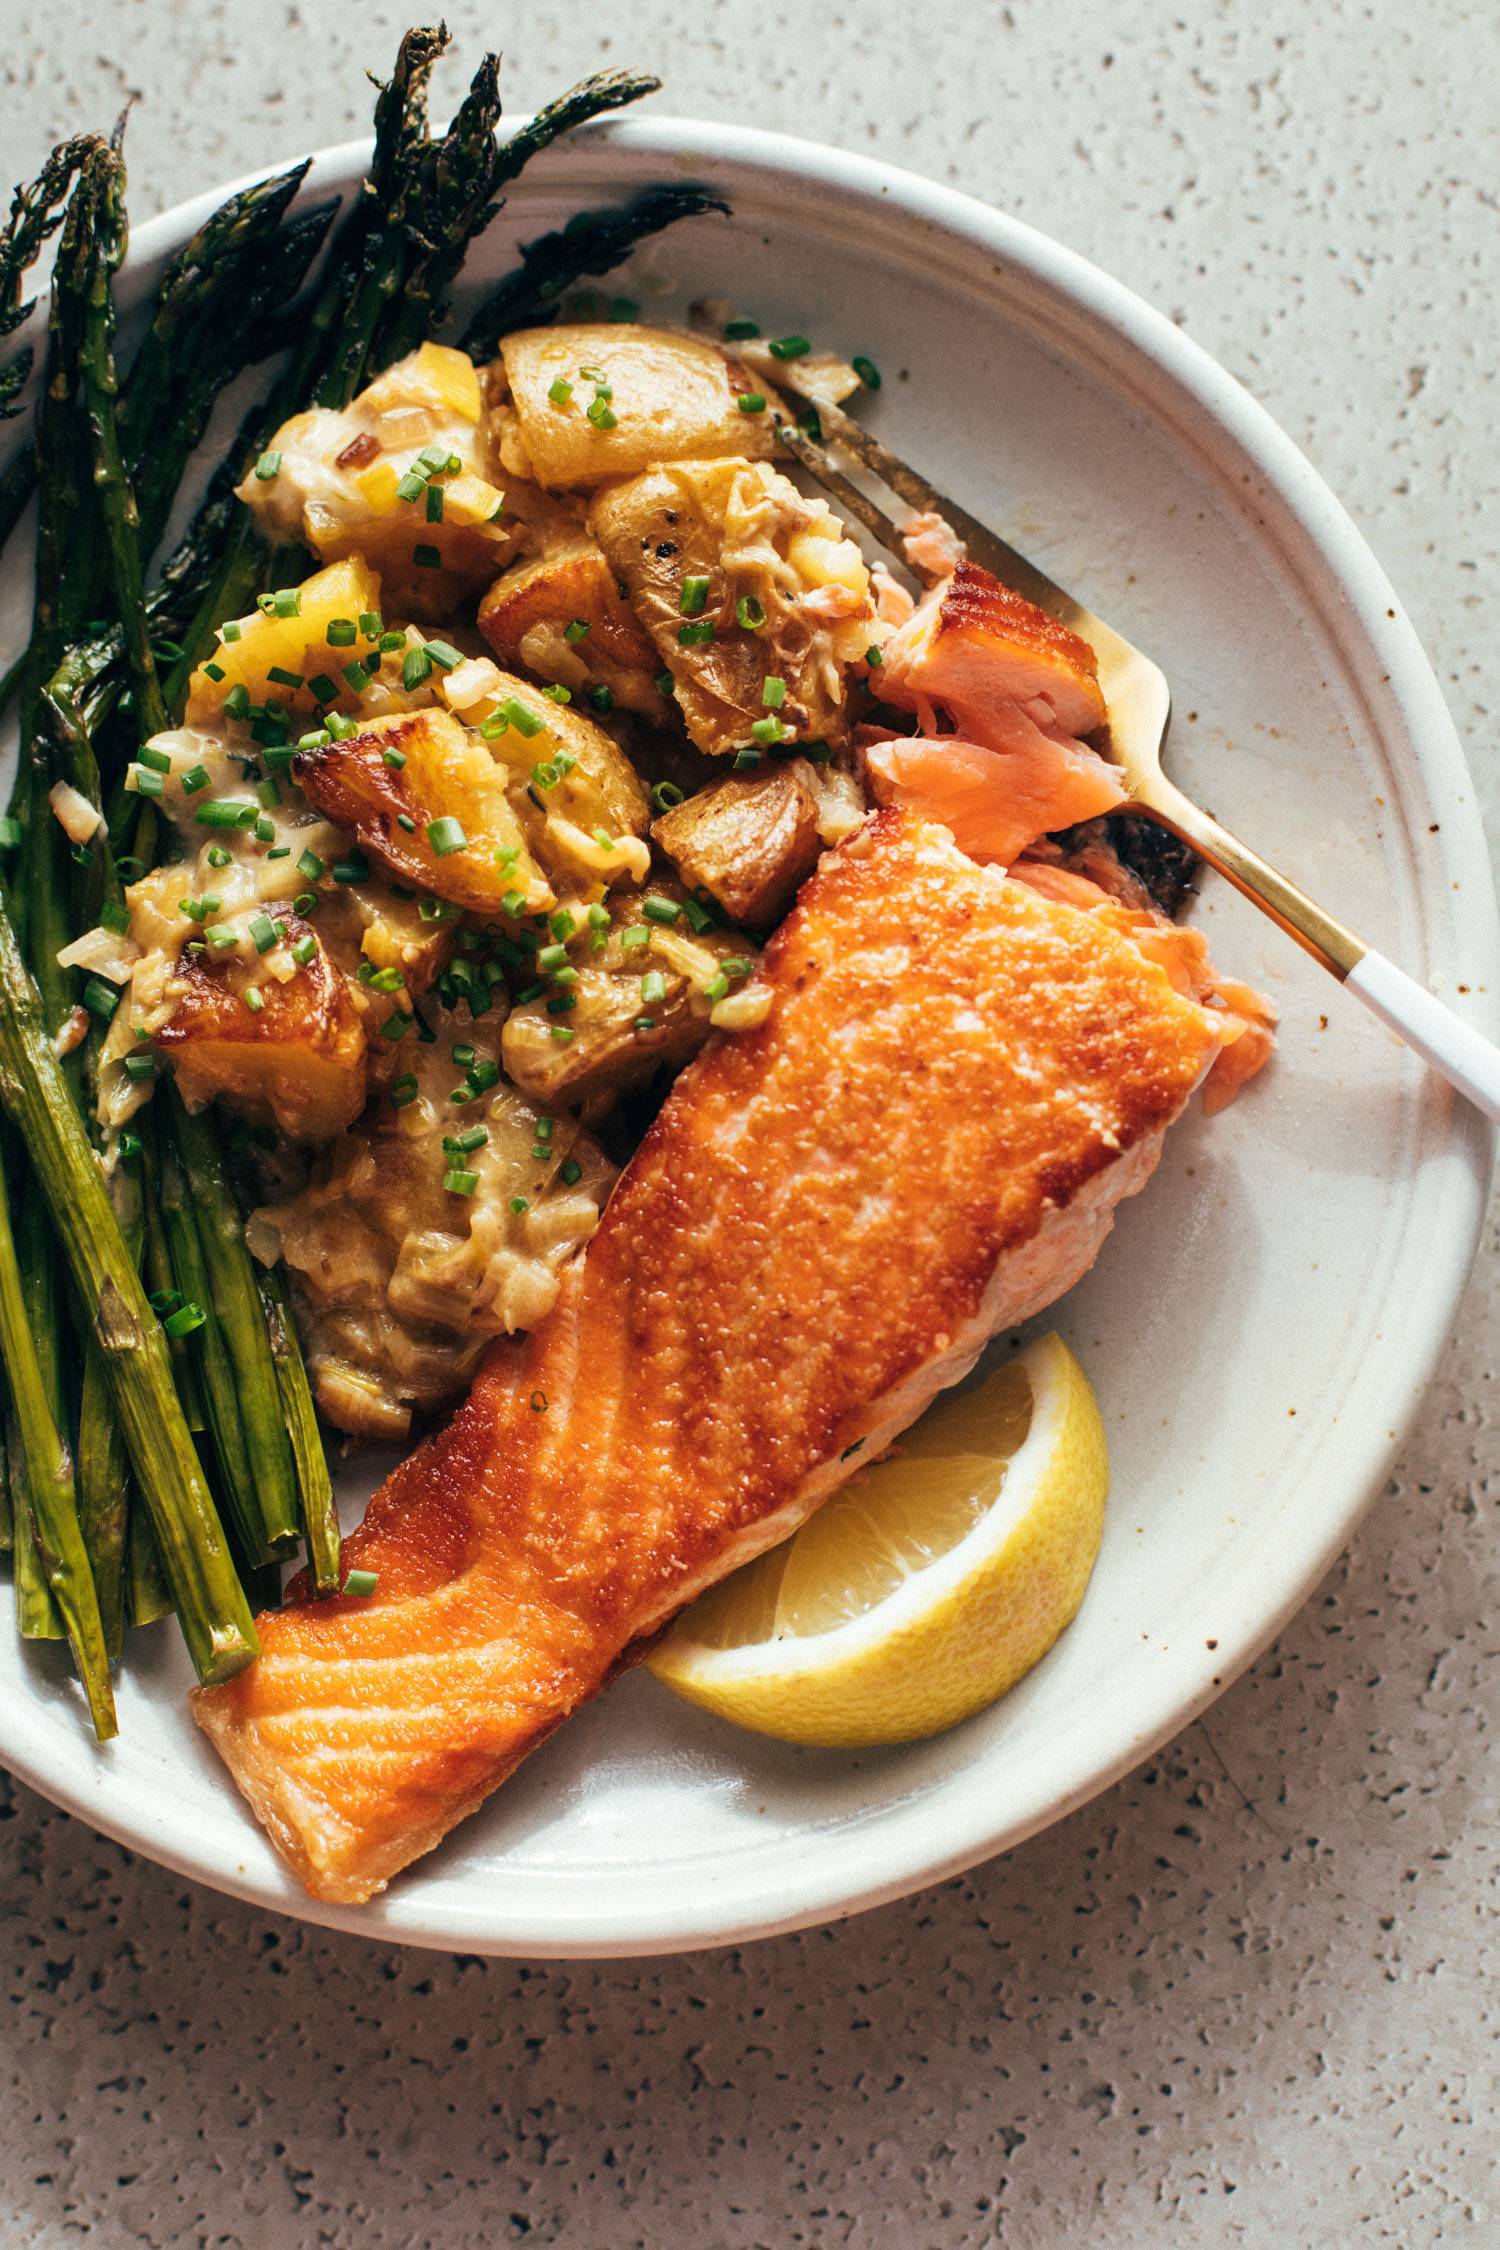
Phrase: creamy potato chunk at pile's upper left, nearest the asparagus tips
(359, 480)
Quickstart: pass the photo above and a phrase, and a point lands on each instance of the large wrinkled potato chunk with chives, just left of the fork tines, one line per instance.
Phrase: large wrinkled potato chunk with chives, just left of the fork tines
(752, 595)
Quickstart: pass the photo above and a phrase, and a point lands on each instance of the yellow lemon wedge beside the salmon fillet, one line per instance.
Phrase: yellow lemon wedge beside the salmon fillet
(928, 1587)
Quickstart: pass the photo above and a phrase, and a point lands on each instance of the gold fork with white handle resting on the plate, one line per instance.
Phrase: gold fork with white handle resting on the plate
(1139, 708)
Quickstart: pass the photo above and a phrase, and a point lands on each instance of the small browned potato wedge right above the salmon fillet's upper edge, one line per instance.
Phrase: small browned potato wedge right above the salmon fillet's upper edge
(750, 843)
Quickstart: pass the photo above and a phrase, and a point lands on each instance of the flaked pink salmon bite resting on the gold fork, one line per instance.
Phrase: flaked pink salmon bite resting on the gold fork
(1020, 692)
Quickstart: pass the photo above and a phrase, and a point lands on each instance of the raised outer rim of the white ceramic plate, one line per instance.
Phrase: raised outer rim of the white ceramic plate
(1193, 1680)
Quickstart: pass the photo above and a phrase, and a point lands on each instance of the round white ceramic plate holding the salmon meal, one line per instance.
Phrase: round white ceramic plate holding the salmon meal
(1263, 1322)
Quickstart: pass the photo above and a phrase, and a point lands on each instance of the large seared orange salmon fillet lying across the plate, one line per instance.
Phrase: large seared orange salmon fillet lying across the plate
(923, 1144)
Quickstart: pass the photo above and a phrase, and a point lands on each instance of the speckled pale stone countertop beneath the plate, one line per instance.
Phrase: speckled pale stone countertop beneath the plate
(1247, 1997)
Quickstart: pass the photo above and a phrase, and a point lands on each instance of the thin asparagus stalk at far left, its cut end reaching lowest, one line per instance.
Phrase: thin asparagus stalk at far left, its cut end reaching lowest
(48, 1484)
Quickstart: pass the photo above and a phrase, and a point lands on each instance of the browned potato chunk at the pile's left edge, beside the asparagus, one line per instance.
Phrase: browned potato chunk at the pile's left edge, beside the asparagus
(266, 1029)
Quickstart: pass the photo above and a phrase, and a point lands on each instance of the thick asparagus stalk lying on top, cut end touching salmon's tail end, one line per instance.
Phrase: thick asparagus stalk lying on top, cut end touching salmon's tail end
(35, 1095)
